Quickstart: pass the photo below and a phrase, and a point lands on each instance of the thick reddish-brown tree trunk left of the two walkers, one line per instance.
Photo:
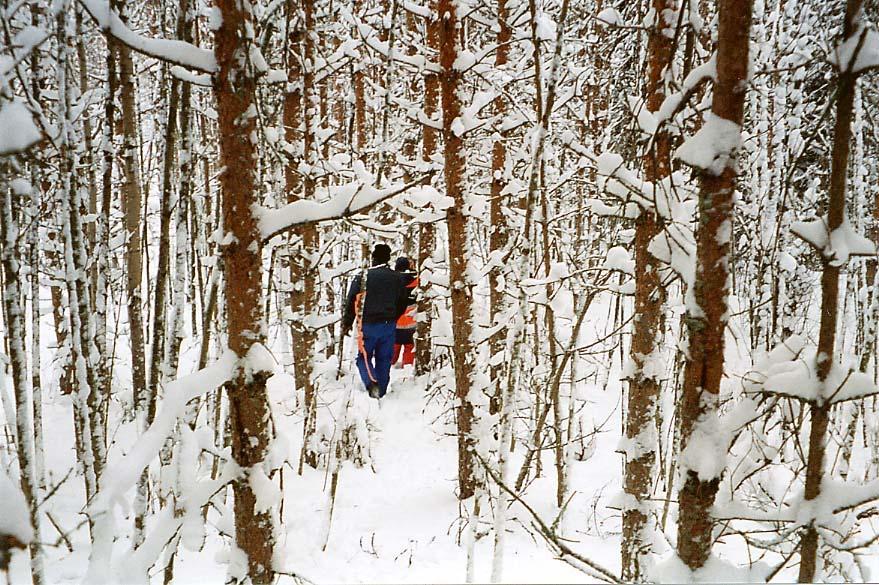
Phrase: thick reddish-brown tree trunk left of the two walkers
(235, 88)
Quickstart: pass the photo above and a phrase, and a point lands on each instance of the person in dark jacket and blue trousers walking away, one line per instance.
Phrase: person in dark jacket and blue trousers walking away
(376, 308)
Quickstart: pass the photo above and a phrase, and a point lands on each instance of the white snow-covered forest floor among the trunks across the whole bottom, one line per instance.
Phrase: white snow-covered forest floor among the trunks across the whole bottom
(395, 518)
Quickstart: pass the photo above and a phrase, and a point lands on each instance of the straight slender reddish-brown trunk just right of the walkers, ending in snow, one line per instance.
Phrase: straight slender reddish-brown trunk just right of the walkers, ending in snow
(458, 221)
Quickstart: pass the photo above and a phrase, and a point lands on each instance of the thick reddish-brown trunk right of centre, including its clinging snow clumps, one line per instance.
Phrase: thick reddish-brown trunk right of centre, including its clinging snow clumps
(707, 310)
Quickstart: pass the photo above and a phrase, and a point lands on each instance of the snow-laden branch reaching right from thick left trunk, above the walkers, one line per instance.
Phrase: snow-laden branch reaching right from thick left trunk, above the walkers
(343, 201)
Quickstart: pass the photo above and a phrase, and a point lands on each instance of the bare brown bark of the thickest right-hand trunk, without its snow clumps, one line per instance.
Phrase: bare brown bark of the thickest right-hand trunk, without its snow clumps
(706, 322)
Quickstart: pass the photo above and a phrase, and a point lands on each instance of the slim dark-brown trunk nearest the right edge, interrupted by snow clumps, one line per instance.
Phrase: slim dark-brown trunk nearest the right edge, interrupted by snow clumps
(818, 410)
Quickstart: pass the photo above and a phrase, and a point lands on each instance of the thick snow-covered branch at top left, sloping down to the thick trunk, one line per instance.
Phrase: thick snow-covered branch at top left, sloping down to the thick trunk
(172, 51)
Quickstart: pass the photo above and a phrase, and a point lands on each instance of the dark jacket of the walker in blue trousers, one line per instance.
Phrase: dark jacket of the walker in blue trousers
(386, 297)
